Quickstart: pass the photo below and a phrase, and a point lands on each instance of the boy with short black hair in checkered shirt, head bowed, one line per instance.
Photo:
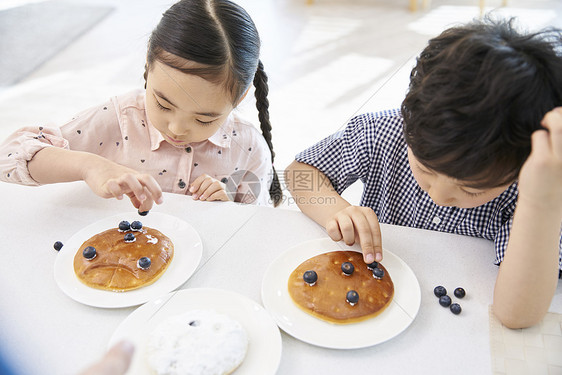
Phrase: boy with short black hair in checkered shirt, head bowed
(476, 150)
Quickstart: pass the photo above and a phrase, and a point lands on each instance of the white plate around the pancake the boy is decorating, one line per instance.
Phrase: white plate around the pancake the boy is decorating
(305, 327)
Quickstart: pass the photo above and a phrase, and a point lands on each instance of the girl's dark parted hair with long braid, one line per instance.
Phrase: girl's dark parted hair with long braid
(222, 39)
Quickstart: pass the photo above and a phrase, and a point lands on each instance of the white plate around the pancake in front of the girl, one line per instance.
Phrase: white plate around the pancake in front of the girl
(188, 250)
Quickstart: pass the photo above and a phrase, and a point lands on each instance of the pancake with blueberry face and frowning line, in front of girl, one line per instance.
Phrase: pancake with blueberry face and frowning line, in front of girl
(124, 258)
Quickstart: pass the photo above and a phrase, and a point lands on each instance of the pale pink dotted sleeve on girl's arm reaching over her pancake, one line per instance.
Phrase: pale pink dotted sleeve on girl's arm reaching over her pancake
(81, 133)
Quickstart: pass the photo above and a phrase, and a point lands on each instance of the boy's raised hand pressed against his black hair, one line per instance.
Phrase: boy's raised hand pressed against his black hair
(540, 179)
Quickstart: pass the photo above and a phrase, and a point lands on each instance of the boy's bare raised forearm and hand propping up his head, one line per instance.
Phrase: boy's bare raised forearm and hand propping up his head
(528, 275)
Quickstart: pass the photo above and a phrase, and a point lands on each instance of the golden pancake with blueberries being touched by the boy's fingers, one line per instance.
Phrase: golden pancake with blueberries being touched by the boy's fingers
(339, 287)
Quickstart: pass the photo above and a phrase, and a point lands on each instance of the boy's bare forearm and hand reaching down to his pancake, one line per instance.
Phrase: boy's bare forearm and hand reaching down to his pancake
(324, 205)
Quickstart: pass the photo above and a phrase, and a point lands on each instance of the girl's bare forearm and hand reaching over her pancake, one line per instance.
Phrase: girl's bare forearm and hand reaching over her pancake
(106, 178)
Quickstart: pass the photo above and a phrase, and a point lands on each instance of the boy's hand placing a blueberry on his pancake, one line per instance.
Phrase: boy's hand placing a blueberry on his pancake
(357, 224)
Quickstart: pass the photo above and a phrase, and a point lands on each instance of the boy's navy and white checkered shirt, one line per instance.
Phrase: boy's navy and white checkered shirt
(372, 149)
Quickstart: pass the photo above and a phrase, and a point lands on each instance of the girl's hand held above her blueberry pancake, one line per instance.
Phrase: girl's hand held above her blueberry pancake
(108, 179)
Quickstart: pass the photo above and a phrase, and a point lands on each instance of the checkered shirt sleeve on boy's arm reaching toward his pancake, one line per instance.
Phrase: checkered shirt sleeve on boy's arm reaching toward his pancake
(343, 157)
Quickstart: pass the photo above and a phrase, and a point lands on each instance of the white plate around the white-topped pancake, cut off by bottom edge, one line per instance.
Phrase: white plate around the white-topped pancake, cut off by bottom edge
(264, 339)
